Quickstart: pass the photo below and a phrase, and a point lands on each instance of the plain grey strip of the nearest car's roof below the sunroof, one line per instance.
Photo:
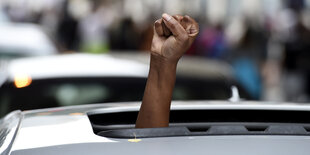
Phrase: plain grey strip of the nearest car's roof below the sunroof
(219, 145)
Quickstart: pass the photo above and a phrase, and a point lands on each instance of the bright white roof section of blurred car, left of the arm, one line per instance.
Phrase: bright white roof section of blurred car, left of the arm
(75, 65)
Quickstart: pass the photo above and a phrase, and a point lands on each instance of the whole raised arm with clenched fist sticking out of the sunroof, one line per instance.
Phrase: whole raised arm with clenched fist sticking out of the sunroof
(173, 35)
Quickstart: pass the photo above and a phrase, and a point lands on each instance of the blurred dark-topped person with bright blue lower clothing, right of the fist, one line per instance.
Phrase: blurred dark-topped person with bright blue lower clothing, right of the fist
(248, 55)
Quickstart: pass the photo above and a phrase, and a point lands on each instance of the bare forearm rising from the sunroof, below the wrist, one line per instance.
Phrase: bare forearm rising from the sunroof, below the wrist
(156, 102)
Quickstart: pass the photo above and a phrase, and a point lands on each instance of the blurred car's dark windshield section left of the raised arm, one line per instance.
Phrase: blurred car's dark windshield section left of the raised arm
(70, 91)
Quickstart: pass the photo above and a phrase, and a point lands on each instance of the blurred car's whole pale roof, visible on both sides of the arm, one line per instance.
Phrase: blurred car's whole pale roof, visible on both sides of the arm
(112, 64)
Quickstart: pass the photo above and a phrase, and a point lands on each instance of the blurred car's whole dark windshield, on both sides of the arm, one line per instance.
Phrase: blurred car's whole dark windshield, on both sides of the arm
(48, 93)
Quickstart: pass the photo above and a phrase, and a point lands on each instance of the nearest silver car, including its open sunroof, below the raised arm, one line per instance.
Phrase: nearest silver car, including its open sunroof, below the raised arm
(196, 128)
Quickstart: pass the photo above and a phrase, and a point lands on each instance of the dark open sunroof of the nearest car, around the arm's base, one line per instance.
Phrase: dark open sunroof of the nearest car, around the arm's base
(206, 122)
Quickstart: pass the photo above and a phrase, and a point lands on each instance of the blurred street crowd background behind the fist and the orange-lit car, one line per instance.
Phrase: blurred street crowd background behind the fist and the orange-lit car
(265, 43)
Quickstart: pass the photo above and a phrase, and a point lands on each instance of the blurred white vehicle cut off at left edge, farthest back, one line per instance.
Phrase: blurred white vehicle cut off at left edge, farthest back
(21, 40)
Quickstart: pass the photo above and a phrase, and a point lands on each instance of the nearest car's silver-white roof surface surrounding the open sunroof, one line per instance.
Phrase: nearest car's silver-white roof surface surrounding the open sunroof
(68, 130)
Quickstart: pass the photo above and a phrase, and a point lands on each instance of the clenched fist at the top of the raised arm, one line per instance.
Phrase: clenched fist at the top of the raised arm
(170, 48)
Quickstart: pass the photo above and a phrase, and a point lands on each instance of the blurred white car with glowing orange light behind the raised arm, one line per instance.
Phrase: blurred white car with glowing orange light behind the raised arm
(74, 79)
